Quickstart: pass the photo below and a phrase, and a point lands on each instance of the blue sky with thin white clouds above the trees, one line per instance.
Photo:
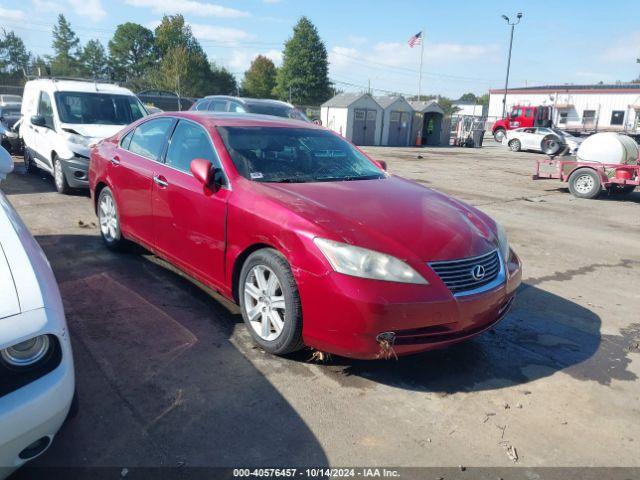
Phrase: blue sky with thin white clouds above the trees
(465, 42)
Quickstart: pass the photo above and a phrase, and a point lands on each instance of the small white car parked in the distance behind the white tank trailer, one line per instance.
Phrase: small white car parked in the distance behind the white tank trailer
(540, 139)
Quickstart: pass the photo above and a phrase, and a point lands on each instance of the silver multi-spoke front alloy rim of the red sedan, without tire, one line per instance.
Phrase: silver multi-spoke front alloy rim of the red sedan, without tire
(264, 302)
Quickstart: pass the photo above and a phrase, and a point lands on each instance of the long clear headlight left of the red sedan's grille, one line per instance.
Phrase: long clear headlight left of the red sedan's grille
(364, 263)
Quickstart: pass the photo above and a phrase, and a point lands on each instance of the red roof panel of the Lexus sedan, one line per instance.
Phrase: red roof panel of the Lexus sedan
(228, 119)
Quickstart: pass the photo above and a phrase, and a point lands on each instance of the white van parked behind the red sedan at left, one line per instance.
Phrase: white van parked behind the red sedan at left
(61, 118)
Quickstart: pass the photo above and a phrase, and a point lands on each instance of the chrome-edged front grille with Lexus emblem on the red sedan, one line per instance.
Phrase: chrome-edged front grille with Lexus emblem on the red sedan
(458, 275)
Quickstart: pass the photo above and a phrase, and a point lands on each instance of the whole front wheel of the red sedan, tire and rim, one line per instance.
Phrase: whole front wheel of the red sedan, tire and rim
(270, 302)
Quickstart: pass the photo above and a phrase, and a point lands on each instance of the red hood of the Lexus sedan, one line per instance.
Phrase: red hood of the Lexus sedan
(392, 215)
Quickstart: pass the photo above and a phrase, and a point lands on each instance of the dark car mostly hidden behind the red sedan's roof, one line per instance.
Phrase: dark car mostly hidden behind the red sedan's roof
(224, 103)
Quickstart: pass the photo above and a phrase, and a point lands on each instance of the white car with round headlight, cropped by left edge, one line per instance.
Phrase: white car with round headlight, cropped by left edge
(37, 381)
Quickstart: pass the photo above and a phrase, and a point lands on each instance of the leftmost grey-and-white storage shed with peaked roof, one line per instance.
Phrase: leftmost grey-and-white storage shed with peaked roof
(355, 116)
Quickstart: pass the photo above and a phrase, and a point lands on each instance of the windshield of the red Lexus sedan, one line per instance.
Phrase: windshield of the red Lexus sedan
(272, 154)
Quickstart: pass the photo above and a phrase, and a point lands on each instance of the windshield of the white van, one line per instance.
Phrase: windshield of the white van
(98, 108)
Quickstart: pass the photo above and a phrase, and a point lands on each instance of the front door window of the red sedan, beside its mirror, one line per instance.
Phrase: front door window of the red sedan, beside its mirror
(188, 142)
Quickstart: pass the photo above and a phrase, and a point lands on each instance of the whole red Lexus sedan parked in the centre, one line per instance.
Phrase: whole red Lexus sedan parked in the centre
(314, 240)
